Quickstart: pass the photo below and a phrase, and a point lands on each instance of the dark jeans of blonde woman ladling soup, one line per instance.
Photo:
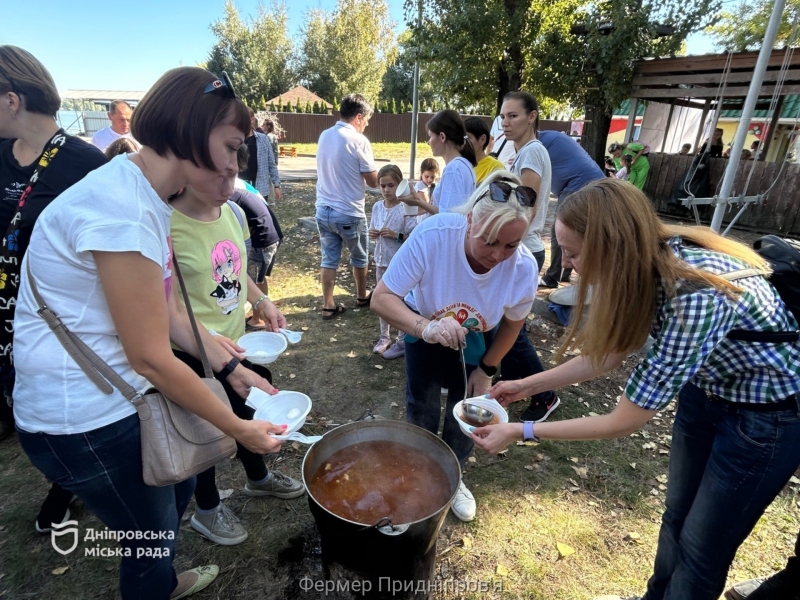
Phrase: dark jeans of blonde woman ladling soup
(429, 368)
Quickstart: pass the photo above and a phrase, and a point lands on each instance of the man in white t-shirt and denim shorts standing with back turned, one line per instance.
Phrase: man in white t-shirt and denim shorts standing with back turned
(345, 166)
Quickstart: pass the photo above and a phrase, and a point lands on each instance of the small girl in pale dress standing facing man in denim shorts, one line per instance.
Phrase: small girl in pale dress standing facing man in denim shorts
(389, 227)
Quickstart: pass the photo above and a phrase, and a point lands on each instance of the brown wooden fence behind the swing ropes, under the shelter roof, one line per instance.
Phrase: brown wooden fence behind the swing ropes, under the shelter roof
(778, 213)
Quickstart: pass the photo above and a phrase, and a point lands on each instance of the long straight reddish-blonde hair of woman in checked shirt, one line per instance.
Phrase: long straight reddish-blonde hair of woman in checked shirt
(624, 256)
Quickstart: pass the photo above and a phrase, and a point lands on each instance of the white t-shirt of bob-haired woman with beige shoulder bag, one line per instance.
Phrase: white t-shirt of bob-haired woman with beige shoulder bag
(113, 209)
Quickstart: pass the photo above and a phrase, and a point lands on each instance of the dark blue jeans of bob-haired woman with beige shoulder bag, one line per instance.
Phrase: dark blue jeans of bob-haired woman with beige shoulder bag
(104, 468)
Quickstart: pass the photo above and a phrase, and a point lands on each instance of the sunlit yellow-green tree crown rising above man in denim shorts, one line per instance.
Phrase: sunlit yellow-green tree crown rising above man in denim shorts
(347, 50)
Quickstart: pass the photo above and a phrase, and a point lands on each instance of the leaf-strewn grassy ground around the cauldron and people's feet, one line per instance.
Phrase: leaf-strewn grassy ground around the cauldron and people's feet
(529, 500)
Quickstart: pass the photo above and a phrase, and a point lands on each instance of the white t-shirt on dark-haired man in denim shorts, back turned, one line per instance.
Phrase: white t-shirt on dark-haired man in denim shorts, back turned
(343, 155)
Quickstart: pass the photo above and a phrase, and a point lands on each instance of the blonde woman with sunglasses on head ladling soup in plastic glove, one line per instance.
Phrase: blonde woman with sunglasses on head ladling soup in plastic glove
(460, 275)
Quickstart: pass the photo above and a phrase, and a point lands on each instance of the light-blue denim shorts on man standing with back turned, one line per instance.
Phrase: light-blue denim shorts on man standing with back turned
(335, 229)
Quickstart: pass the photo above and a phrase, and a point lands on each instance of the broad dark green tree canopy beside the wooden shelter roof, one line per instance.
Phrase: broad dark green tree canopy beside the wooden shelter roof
(477, 50)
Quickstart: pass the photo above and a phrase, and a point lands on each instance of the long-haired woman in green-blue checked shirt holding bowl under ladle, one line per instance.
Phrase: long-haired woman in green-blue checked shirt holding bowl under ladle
(734, 440)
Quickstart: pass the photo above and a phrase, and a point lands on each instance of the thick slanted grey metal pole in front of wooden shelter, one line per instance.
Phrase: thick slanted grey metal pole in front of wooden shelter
(747, 111)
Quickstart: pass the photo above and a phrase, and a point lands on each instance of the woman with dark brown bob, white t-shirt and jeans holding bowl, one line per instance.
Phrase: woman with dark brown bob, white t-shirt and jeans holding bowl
(101, 257)
